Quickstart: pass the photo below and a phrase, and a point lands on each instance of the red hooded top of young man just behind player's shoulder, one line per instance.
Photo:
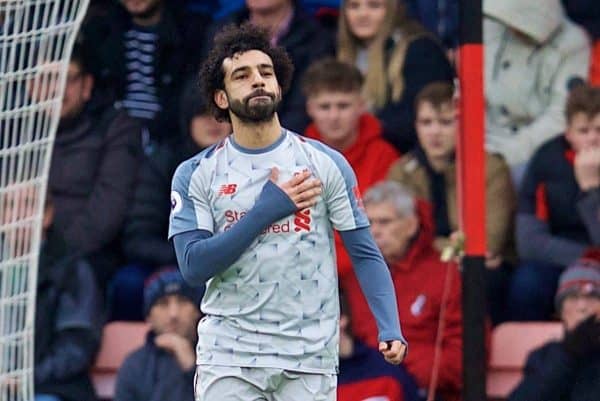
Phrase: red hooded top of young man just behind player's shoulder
(370, 156)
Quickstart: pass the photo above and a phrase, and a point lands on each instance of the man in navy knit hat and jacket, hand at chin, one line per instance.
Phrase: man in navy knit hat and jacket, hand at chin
(164, 367)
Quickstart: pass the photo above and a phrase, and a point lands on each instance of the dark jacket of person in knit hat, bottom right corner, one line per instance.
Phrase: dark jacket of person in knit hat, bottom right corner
(551, 374)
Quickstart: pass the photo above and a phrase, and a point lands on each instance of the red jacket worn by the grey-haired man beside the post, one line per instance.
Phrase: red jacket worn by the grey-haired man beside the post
(419, 279)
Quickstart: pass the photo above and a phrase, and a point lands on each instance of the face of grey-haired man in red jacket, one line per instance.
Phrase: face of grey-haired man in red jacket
(392, 232)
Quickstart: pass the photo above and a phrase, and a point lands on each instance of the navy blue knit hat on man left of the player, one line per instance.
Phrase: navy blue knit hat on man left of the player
(169, 282)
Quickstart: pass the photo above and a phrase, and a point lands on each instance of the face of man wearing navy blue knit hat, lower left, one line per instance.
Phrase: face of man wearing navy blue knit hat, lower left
(174, 314)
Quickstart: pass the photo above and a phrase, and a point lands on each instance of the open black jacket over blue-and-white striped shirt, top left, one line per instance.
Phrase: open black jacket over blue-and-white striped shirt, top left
(180, 38)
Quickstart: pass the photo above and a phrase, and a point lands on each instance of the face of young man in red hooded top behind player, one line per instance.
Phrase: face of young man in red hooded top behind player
(336, 115)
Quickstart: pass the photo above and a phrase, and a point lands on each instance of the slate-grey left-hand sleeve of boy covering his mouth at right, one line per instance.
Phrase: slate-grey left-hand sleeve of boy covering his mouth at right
(536, 242)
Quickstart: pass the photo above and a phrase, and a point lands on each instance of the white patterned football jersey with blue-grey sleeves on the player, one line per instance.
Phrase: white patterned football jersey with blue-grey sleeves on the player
(277, 305)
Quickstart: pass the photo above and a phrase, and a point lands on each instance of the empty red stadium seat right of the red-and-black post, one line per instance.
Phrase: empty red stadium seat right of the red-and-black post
(511, 344)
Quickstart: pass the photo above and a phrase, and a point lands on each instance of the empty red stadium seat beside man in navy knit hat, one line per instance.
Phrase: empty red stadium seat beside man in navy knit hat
(119, 339)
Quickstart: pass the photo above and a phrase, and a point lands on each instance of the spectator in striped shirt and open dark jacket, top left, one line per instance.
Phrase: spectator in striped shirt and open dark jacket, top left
(140, 49)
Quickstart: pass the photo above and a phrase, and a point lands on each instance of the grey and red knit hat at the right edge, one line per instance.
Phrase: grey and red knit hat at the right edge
(581, 277)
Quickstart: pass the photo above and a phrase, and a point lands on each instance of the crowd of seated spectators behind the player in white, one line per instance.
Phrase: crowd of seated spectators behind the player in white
(375, 80)
